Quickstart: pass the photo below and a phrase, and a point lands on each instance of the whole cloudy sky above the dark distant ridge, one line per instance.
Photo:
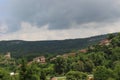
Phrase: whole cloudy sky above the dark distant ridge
(34, 20)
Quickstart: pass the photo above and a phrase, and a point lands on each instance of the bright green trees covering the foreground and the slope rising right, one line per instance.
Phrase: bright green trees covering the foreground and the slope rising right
(101, 60)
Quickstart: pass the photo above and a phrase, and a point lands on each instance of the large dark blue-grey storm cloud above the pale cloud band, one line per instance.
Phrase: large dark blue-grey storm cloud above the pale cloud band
(61, 14)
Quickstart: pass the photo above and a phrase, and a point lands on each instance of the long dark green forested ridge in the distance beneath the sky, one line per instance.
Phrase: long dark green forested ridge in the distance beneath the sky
(20, 48)
